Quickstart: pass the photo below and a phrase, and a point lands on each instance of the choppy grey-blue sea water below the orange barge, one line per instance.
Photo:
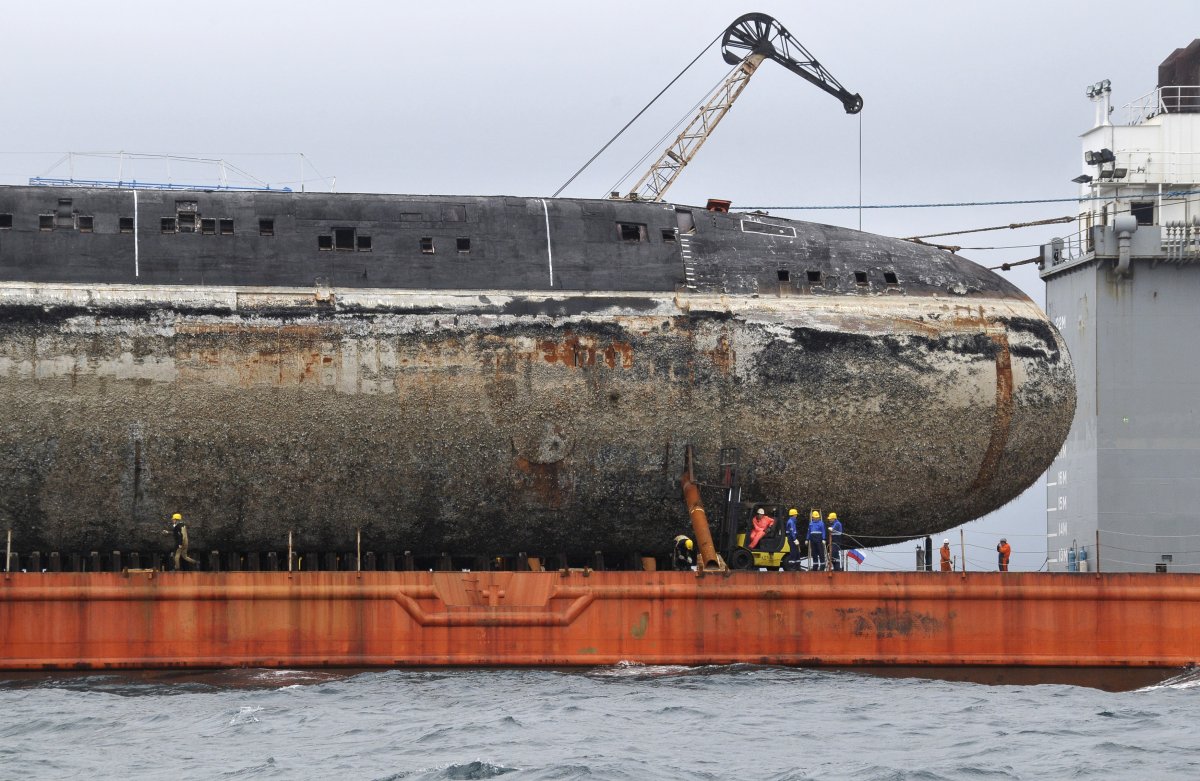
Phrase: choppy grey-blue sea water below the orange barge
(622, 723)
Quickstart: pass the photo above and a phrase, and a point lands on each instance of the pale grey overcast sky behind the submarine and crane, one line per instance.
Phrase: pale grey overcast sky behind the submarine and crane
(964, 103)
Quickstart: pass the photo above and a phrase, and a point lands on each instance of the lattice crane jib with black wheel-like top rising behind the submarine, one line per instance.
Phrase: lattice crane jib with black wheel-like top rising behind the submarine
(751, 40)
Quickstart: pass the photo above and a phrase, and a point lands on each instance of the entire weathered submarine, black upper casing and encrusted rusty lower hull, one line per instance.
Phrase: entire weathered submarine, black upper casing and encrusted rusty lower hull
(472, 402)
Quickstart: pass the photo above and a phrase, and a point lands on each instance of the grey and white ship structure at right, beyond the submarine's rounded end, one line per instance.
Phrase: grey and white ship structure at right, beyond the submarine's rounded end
(1124, 290)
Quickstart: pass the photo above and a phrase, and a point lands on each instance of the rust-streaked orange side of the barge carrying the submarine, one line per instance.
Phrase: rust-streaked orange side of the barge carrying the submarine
(389, 620)
